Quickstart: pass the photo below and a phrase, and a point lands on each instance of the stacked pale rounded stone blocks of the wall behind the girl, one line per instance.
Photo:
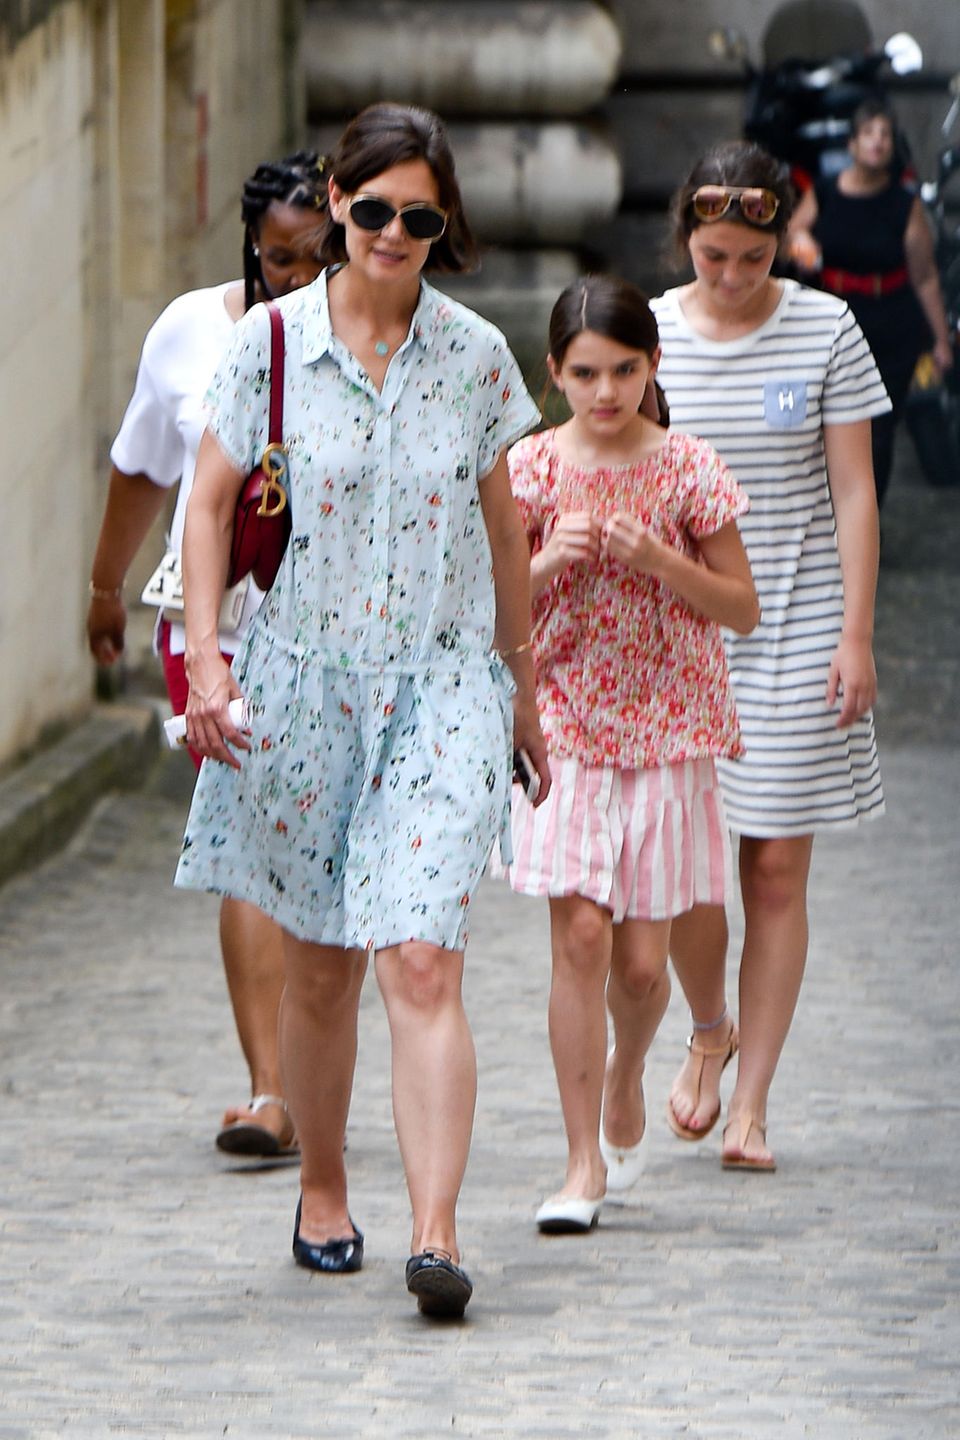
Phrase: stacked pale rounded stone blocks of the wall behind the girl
(520, 84)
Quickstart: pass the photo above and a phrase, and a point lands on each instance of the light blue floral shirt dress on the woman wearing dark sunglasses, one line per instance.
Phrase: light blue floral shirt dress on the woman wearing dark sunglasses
(382, 724)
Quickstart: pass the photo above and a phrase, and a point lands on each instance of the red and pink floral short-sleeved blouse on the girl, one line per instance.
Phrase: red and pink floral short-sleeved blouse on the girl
(628, 675)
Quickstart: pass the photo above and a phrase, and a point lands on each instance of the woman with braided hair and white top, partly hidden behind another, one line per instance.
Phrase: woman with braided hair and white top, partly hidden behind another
(155, 450)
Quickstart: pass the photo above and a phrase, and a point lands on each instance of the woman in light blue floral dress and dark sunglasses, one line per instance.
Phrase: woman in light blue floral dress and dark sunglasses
(361, 807)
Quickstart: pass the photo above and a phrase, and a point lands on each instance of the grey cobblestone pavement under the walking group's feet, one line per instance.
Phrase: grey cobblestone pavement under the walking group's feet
(148, 1287)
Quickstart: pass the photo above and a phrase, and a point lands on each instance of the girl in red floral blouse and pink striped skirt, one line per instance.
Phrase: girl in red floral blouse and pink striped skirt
(637, 564)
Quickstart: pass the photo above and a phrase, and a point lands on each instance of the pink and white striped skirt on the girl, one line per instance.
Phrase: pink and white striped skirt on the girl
(644, 845)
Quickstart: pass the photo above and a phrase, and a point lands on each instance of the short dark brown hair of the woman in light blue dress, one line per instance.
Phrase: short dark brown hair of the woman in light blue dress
(384, 136)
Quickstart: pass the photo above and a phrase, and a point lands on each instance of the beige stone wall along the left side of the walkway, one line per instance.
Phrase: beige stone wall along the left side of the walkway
(126, 130)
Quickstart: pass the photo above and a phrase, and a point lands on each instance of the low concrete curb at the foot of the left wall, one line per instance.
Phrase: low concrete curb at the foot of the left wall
(44, 801)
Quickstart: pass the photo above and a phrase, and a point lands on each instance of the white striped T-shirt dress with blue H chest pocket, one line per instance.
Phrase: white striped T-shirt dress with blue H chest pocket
(764, 401)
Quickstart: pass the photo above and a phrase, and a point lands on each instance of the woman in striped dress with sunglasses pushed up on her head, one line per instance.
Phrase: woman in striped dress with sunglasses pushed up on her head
(781, 381)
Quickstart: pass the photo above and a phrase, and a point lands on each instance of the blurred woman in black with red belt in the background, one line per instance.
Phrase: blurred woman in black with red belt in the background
(869, 238)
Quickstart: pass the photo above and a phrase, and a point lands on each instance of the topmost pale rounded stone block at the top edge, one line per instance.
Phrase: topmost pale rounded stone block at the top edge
(464, 57)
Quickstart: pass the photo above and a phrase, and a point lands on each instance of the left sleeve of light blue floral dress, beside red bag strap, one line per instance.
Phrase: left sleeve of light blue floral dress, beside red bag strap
(238, 400)
